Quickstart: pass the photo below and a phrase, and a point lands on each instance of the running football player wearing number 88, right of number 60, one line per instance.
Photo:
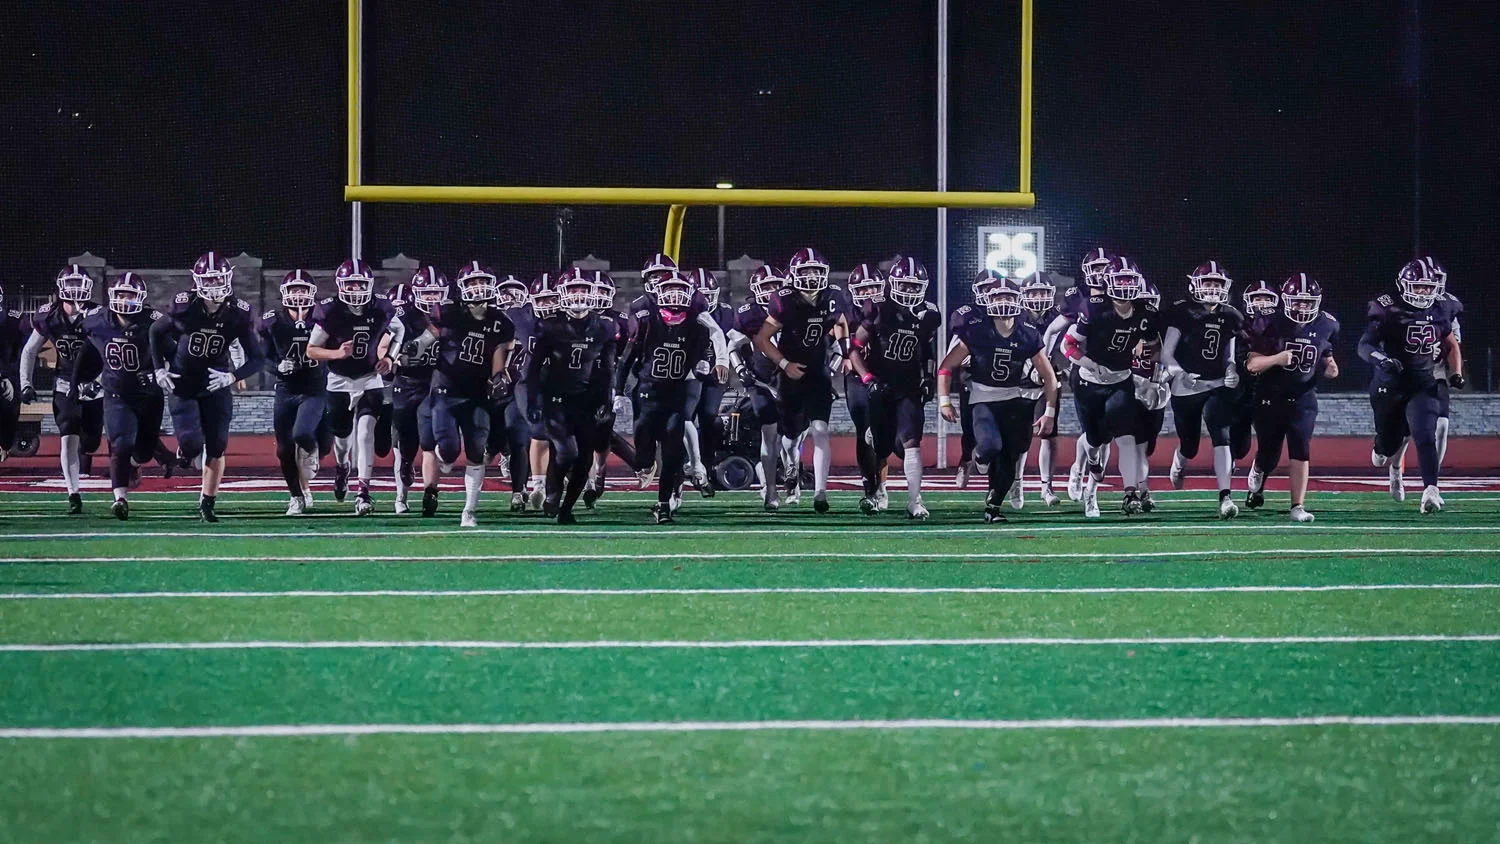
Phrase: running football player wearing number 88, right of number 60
(191, 349)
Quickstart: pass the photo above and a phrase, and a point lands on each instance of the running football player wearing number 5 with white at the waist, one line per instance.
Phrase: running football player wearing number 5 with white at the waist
(1000, 347)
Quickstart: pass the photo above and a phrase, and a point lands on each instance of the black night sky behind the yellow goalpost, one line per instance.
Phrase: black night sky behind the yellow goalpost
(1274, 136)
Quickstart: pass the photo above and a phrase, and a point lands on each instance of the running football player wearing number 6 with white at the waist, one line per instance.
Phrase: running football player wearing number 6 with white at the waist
(353, 334)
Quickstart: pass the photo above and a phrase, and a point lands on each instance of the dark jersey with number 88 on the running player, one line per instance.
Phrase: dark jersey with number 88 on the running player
(191, 341)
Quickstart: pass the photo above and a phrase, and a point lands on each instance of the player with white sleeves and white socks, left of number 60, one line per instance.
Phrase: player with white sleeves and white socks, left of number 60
(77, 409)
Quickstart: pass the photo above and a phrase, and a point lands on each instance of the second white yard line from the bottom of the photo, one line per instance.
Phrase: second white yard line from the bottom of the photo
(740, 644)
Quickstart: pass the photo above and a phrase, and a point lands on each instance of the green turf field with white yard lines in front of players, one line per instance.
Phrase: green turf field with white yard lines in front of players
(748, 678)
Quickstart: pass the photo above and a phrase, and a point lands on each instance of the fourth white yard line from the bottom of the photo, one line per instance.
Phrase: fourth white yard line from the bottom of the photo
(760, 557)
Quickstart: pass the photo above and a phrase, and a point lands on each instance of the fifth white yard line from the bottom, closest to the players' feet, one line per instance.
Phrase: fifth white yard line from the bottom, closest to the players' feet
(875, 528)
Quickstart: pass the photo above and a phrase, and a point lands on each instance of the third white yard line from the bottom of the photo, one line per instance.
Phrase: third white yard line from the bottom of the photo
(748, 591)
